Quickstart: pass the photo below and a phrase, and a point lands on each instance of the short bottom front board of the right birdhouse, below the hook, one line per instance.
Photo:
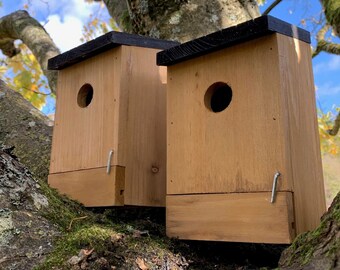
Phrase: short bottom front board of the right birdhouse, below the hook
(239, 217)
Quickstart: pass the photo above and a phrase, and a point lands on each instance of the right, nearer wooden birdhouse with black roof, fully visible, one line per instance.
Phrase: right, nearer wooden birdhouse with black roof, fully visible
(243, 154)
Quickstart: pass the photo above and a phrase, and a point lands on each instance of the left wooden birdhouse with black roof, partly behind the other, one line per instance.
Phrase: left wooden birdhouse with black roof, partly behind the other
(109, 138)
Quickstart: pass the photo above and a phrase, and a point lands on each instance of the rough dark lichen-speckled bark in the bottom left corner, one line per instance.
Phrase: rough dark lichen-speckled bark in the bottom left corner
(25, 236)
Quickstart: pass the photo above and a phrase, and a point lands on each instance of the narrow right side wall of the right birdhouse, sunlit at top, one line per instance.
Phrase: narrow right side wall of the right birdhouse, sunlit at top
(302, 131)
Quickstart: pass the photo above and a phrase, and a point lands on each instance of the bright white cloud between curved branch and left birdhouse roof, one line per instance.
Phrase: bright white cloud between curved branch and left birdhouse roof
(65, 33)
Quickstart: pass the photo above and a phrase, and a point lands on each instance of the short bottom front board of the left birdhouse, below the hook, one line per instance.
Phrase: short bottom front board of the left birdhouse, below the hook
(92, 187)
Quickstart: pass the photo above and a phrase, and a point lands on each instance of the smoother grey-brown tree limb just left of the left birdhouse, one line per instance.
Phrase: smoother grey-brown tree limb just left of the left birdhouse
(25, 130)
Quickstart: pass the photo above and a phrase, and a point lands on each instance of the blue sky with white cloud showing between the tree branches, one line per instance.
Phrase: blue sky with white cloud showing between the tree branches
(64, 19)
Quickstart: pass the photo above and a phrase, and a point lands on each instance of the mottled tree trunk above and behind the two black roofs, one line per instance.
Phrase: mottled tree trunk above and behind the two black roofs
(180, 20)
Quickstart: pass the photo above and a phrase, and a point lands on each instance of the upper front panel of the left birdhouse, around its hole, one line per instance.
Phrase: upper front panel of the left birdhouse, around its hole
(83, 137)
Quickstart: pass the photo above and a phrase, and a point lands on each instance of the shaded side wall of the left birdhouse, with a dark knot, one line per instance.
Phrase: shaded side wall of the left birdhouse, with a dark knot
(144, 117)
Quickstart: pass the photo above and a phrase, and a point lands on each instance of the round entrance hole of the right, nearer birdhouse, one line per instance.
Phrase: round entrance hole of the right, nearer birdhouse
(218, 97)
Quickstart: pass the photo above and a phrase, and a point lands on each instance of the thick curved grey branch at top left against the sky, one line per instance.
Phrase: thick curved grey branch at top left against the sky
(20, 25)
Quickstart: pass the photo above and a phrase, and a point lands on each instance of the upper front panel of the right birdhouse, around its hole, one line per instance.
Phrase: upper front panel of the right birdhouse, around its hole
(236, 150)
